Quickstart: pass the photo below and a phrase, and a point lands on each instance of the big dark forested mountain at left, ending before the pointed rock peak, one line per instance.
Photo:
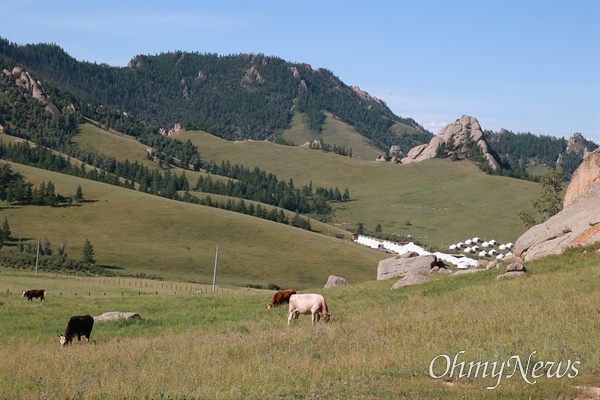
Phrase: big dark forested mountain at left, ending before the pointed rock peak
(235, 97)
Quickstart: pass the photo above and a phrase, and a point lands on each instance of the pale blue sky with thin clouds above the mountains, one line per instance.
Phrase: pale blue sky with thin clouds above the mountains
(522, 65)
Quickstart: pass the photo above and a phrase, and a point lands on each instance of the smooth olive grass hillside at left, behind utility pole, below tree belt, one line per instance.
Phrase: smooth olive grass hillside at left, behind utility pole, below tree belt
(152, 235)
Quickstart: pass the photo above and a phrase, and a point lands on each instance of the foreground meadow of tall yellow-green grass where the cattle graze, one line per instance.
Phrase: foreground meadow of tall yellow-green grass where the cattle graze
(379, 343)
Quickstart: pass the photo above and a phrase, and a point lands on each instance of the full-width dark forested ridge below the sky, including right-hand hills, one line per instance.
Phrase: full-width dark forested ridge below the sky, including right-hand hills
(253, 96)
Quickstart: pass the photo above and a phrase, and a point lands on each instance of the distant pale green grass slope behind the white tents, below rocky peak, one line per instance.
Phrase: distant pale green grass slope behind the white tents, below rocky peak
(442, 201)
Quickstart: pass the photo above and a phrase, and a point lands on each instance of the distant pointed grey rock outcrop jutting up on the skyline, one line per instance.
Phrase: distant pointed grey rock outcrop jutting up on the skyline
(454, 135)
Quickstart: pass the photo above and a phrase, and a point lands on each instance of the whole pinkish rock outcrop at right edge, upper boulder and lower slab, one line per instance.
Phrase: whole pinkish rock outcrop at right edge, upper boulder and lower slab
(578, 224)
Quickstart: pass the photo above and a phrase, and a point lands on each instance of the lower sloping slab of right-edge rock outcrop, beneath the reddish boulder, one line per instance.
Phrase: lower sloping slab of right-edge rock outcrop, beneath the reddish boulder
(578, 224)
